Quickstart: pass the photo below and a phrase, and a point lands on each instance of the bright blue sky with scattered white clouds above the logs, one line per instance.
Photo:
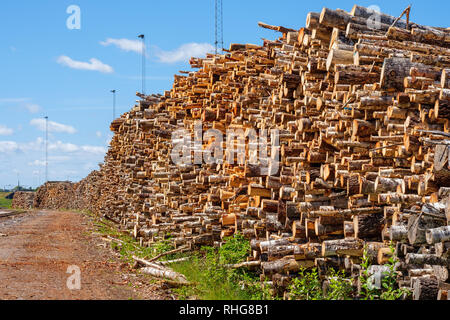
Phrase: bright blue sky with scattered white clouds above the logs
(44, 67)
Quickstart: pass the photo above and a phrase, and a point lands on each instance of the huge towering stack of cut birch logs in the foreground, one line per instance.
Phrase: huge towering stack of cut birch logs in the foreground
(363, 112)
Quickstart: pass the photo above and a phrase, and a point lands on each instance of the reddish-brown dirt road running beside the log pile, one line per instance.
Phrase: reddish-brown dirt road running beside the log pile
(37, 248)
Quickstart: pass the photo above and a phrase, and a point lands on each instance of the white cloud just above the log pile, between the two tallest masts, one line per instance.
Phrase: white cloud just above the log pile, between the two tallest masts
(184, 53)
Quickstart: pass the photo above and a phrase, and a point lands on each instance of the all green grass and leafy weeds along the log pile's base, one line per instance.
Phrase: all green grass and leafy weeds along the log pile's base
(210, 280)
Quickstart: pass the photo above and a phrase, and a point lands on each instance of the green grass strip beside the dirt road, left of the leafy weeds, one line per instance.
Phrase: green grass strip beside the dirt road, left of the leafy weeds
(210, 281)
